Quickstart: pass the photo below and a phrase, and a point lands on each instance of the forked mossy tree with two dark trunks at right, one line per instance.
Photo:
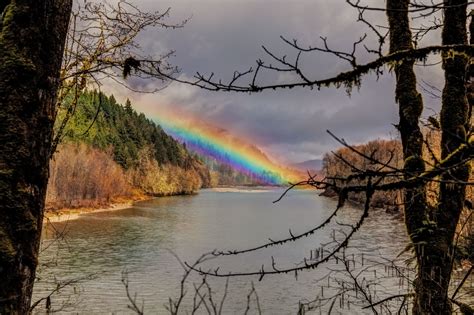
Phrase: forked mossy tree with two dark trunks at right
(432, 231)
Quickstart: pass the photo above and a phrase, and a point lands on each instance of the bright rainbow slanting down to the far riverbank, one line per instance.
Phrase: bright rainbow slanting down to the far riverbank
(218, 144)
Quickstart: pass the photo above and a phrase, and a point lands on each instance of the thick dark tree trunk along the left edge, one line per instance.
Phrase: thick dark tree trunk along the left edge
(32, 36)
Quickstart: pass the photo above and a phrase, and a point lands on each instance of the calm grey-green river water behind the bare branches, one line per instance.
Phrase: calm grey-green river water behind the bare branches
(95, 250)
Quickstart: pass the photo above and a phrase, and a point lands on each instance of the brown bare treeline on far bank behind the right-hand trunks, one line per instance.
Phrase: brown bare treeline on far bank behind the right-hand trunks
(390, 152)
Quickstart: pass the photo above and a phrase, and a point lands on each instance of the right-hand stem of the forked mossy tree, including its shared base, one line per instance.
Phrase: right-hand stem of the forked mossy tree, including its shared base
(434, 270)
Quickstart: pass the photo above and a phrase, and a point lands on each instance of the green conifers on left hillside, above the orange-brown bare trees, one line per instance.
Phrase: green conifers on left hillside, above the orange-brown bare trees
(122, 129)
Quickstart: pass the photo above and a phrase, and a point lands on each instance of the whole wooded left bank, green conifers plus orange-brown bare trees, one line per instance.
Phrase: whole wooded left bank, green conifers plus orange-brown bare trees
(109, 150)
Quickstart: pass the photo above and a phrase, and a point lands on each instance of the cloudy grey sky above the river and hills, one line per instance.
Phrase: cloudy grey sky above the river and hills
(290, 125)
